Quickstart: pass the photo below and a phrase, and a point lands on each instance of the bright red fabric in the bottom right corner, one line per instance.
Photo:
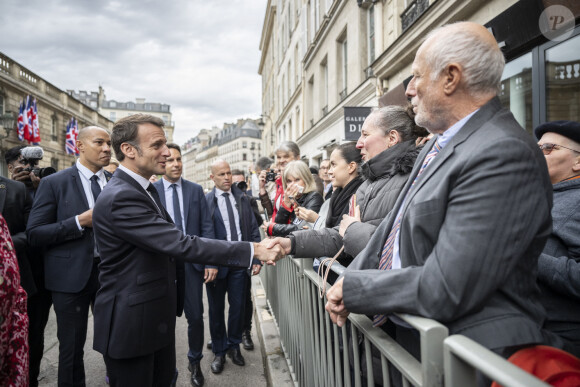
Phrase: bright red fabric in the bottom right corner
(551, 365)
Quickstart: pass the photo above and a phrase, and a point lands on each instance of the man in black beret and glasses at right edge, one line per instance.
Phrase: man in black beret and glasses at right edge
(559, 263)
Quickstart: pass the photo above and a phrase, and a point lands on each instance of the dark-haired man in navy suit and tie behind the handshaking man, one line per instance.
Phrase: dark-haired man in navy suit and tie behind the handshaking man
(190, 213)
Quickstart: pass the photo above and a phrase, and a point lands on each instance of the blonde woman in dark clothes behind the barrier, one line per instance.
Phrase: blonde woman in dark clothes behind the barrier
(299, 191)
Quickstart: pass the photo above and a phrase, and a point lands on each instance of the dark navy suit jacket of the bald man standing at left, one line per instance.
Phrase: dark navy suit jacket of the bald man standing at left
(69, 255)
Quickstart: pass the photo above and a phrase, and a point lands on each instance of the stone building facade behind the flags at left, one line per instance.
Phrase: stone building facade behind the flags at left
(55, 109)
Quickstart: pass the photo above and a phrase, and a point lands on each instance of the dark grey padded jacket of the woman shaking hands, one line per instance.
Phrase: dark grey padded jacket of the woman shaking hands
(385, 175)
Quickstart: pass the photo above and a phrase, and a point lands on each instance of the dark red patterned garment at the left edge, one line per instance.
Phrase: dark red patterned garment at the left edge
(13, 317)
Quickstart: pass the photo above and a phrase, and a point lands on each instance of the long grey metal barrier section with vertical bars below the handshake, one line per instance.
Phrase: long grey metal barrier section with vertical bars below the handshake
(321, 354)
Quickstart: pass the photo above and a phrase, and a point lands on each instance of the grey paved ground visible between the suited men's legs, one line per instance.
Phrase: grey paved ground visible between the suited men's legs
(252, 374)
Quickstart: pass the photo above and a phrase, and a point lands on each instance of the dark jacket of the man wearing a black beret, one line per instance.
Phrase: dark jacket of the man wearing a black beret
(559, 265)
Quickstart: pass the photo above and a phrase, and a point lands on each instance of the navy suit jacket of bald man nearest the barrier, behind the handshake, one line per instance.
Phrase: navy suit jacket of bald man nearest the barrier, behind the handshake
(248, 225)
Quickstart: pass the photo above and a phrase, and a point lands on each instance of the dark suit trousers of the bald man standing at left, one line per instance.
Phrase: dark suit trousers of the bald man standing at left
(72, 313)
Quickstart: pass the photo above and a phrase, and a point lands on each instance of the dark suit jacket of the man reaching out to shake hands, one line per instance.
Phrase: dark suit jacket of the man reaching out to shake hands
(135, 306)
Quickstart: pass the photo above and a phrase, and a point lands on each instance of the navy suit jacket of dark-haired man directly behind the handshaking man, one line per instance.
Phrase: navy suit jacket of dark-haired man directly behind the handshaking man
(197, 222)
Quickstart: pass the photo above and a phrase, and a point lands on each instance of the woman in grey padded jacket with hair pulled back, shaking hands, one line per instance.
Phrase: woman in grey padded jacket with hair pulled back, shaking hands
(387, 145)
